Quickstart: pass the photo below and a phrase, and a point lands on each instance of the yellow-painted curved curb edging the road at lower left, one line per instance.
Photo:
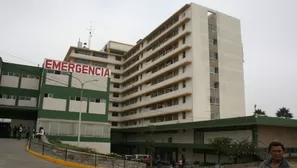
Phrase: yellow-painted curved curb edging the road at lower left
(59, 161)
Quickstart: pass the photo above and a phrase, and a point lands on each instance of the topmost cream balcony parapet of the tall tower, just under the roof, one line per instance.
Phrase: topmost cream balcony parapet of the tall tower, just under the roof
(178, 23)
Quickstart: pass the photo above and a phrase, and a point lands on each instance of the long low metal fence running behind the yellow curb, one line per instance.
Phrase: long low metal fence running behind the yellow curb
(95, 160)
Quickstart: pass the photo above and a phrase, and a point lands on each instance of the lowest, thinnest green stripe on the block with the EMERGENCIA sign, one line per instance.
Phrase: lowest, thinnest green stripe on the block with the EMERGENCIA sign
(82, 139)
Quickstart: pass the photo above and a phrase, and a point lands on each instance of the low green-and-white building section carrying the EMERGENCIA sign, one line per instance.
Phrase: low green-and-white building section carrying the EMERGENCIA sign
(51, 97)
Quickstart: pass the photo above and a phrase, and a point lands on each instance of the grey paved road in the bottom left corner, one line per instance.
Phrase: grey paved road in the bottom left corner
(14, 155)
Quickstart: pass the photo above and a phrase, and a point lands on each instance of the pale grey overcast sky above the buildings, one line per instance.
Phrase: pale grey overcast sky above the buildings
(34, 29)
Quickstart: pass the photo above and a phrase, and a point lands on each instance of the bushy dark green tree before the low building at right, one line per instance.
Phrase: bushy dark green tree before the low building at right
(233, 149)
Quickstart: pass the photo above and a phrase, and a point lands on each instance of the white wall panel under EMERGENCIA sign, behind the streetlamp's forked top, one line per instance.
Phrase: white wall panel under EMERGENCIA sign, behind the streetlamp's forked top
(100, 85)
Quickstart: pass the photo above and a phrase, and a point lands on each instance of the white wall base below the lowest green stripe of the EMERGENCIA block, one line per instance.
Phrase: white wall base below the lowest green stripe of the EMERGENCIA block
(101, 147)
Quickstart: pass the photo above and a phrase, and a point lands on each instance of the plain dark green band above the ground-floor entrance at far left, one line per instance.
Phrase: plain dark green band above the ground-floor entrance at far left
(24, 113)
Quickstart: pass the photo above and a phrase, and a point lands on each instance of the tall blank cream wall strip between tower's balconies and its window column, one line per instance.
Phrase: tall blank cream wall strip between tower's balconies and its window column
(199, 53)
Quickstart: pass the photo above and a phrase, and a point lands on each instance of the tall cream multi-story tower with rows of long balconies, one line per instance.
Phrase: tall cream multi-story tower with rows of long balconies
(190, 68)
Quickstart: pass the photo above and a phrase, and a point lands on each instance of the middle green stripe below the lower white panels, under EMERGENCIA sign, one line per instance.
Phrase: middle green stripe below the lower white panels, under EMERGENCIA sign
(50, 114)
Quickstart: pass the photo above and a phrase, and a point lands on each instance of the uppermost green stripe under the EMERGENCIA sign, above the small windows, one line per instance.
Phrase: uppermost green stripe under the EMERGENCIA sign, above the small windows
(65, 92)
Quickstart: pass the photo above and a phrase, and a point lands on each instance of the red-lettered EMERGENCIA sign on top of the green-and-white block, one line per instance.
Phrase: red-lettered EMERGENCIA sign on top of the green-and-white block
(78, 68)
